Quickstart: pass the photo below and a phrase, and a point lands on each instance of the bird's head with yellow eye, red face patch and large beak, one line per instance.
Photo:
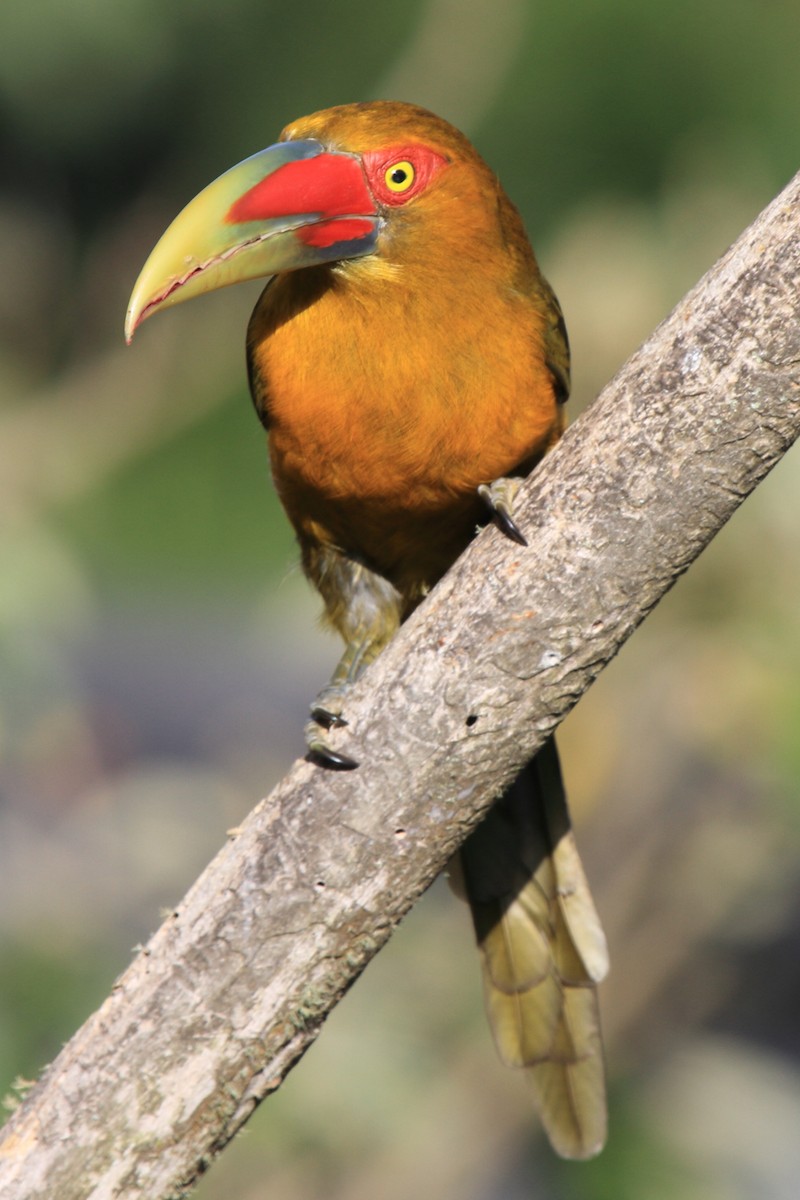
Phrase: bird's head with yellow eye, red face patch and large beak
(342, 184)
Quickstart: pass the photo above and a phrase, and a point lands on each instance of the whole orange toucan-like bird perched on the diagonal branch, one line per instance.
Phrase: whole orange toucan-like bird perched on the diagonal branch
(411, 365)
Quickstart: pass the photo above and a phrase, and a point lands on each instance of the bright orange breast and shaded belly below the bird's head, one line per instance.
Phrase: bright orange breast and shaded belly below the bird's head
(389, 398)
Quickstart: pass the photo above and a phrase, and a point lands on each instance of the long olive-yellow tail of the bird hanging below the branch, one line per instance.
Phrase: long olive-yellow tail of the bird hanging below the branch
(543, 952)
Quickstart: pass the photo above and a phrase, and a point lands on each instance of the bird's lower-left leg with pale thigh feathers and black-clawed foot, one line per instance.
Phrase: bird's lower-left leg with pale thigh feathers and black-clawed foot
(365, 608)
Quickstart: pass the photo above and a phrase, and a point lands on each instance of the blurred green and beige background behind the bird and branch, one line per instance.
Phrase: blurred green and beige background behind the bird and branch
(159, 647)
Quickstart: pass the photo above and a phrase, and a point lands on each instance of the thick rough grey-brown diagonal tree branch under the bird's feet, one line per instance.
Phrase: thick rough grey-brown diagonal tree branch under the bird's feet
(234, 987)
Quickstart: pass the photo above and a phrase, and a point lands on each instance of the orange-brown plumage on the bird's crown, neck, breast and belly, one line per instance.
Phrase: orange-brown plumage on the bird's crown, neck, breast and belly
(394, 386)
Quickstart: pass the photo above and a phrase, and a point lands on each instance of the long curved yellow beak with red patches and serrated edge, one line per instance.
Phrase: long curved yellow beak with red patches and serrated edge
(294, 205)
